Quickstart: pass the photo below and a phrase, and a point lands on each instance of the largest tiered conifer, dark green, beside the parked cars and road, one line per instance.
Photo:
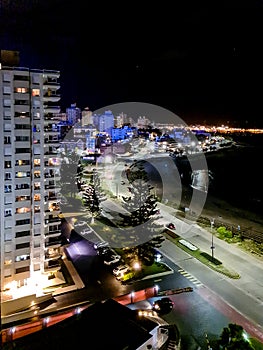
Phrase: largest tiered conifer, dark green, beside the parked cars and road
(142, 213)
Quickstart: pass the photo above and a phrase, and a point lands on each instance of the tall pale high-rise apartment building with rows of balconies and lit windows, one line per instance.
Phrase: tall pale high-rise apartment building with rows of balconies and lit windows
(30, 172)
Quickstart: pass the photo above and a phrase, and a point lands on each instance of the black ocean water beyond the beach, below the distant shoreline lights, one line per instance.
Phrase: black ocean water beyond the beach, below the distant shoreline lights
(235, 174)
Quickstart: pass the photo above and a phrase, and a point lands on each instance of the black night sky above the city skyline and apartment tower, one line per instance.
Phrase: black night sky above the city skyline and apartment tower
(201, 60)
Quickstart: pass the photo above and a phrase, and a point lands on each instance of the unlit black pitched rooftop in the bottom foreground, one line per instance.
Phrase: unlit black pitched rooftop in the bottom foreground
(103, 325)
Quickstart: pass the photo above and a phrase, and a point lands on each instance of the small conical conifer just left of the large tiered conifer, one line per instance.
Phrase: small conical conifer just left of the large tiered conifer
(93, 196)
